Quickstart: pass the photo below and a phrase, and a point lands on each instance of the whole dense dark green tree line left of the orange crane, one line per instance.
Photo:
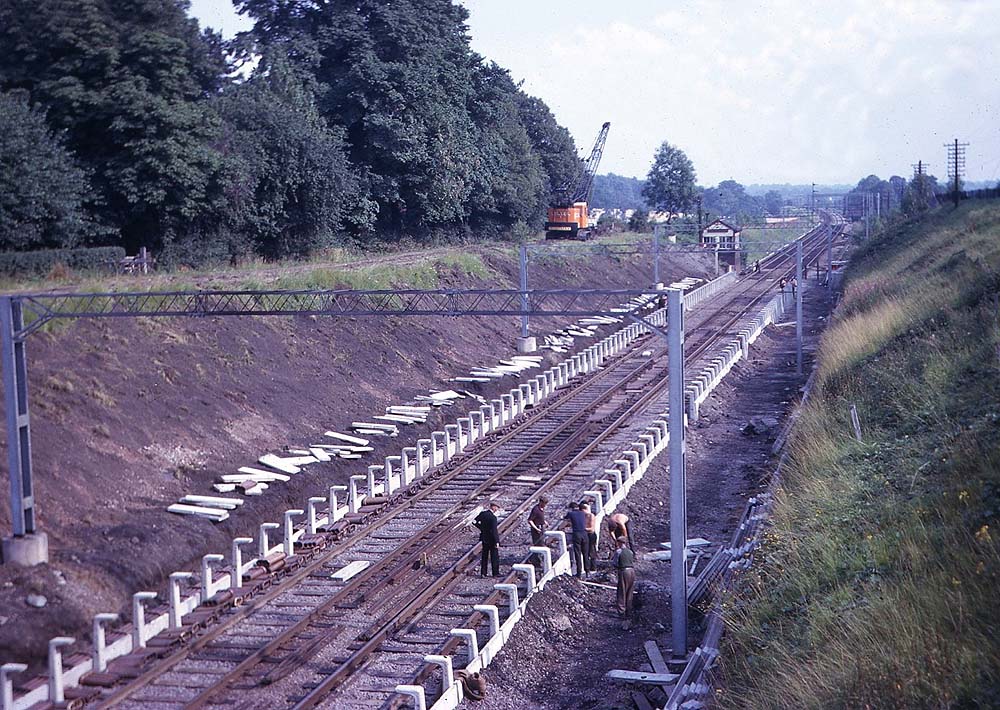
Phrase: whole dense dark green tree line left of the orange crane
(362, 119)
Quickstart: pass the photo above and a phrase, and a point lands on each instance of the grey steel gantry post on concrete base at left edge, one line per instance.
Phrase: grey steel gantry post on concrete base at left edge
(15, 392)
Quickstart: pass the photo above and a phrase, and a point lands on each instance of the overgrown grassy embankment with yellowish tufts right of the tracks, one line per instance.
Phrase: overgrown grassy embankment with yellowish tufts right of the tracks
(877, 585)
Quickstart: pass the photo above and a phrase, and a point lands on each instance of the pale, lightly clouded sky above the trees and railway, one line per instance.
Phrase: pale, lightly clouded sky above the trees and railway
(769, 91)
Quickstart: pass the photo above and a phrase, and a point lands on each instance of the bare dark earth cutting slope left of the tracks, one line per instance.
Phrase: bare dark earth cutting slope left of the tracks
(129, 415)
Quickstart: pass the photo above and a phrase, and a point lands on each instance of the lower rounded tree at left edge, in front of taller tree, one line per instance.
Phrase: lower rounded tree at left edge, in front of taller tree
(42, 190)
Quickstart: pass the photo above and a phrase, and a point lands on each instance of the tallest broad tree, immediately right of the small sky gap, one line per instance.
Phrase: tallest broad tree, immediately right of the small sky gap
(397, 77)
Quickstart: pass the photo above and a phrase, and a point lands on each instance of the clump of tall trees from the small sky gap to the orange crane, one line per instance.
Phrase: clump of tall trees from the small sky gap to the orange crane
(444, 140)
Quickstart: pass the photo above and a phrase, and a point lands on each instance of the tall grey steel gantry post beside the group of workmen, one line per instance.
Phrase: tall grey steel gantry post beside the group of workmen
(678, 482)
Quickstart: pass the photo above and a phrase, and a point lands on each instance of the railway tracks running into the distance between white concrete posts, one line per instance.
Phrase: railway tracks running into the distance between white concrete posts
(307, 634)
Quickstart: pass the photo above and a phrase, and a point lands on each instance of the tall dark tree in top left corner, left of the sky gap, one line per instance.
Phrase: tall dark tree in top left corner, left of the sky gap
(128, 82)
